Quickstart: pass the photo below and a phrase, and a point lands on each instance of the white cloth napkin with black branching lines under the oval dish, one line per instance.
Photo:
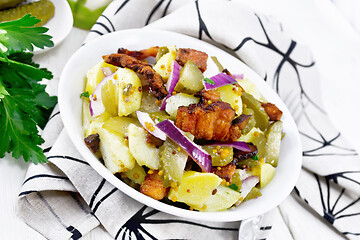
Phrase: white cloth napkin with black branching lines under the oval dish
(67, 198)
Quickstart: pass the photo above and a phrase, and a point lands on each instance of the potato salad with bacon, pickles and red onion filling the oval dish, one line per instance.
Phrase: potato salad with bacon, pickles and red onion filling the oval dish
(177, 126)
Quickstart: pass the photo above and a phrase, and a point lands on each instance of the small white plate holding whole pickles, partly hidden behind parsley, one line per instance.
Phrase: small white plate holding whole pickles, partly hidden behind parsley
(60, 25)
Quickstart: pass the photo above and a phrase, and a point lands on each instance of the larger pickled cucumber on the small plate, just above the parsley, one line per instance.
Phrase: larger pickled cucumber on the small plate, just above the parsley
(43, 9)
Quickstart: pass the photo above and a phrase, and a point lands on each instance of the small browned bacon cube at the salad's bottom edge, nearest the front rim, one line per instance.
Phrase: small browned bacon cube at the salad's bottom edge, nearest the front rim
(153, 186)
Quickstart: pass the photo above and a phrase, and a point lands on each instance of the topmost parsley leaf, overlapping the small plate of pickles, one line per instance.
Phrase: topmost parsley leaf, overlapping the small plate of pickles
(20, 35)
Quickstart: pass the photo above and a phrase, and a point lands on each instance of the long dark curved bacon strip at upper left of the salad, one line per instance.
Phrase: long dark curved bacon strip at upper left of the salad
(152, 77)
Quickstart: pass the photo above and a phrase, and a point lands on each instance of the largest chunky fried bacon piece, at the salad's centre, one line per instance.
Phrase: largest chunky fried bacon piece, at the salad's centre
(209, 122)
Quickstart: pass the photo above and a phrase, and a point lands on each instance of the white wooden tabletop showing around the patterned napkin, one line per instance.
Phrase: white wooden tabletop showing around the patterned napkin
(340, 93)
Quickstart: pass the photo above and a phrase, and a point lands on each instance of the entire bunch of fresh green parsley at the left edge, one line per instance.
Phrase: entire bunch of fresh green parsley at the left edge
(24, 104)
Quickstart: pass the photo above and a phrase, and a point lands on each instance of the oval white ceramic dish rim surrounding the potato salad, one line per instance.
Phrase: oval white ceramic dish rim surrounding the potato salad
(72, 85)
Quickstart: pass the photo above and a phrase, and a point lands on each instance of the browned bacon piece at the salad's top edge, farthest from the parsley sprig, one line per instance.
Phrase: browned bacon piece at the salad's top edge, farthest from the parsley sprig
(187, 54)
